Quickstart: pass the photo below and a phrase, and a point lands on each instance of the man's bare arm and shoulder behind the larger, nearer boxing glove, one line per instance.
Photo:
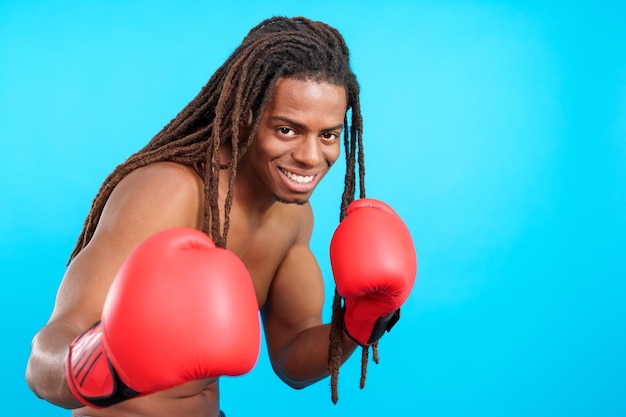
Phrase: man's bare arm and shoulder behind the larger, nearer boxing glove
(148, 200)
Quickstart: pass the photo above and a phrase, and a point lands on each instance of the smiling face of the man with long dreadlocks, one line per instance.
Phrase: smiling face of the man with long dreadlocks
(298, 138)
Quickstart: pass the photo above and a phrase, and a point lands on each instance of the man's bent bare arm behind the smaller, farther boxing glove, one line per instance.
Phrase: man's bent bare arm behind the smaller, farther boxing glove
(297, 340)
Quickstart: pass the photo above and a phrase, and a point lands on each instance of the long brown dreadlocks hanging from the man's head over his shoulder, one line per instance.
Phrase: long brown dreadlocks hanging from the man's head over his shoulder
(276, 48)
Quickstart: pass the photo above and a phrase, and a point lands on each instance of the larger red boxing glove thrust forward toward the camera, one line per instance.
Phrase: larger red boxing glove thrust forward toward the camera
(179, 309)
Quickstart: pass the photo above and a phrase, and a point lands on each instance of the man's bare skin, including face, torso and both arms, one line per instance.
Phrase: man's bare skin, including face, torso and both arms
(297, 142)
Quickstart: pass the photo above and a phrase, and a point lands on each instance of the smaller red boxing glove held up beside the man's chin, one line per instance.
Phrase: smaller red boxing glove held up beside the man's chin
(374, 263)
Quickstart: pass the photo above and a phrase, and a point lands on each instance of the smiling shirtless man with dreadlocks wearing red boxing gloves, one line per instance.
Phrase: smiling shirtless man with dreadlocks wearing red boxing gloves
(238, 163)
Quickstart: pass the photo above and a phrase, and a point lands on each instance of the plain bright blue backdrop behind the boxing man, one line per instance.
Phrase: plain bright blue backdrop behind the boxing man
(496, 129)
